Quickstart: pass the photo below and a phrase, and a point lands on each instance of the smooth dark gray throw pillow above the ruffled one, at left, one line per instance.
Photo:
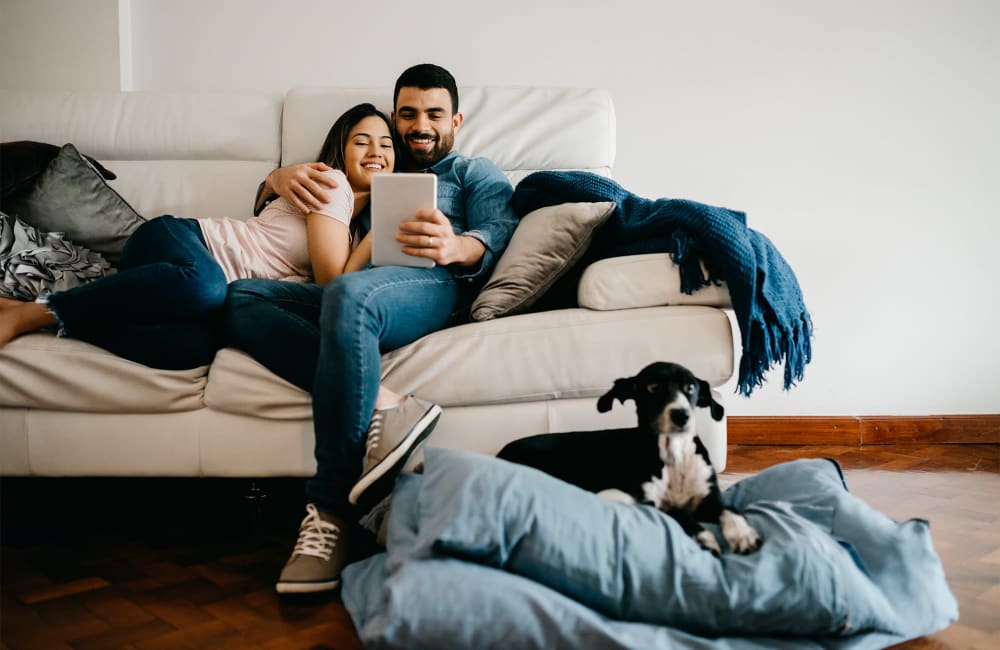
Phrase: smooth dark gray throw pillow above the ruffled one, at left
(73, 198)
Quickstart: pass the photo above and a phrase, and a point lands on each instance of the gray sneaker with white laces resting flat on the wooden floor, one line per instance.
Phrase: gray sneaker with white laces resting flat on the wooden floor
(319, 555)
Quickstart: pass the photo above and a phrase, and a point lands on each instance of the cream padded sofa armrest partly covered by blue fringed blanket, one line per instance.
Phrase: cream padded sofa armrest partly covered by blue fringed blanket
(634, 281)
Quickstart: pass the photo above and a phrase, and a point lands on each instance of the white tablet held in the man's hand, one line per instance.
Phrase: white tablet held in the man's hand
(395, 199)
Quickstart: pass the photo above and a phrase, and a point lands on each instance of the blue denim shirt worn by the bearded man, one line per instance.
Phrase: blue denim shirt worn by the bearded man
(475, 196)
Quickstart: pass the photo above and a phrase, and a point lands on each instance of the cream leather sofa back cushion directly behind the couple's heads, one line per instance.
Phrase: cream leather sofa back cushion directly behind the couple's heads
(521, 129)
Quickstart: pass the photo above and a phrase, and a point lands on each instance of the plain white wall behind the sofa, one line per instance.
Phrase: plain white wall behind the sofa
(861, 137)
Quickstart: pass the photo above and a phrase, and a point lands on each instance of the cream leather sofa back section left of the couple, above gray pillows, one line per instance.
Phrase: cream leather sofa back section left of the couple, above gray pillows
(189, 154)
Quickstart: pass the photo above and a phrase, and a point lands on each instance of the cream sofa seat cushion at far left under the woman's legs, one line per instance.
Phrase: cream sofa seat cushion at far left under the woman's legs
(41, 371)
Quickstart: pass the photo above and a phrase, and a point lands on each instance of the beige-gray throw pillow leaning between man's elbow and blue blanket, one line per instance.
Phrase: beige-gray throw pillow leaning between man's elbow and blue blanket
(546, 244)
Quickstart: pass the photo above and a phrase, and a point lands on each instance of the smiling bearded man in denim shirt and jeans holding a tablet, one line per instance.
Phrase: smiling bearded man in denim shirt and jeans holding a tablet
(373, 310)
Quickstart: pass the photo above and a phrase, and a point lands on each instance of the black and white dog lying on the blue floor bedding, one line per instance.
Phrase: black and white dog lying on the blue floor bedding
(661, 461)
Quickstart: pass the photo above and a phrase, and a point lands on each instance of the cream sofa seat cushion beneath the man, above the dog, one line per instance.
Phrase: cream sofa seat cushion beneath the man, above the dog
(560, 354)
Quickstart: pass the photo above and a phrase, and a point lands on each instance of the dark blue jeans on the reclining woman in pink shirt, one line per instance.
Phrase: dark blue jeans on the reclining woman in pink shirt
(163, 306)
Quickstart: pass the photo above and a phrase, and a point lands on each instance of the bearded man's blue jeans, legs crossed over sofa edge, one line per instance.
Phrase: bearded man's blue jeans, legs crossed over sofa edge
(329, 340)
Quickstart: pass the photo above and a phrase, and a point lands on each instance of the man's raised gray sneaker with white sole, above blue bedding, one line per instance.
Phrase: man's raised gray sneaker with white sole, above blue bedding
(393, 435)
